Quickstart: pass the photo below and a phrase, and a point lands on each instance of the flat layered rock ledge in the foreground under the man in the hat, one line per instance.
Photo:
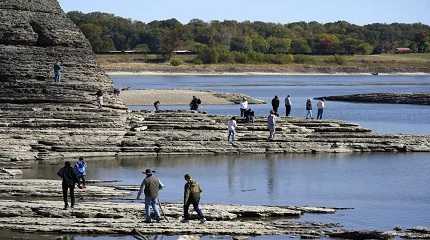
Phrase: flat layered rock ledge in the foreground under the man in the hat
(106, 210)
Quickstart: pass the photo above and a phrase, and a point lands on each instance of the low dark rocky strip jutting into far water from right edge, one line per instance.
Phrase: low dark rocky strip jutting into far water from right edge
(391, 98)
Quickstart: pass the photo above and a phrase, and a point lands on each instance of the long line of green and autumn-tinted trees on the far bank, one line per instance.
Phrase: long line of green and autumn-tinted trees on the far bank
(232, 41)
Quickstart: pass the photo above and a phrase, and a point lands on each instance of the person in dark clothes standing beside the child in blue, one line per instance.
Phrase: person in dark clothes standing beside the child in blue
(69, 181)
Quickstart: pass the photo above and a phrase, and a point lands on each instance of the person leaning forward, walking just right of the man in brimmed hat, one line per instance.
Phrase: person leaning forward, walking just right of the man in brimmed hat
(192, 192)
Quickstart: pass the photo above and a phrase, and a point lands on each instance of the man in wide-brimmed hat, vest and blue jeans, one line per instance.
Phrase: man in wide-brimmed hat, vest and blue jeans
(150, 186)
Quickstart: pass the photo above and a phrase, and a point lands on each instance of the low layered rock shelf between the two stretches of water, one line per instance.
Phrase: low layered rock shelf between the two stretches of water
(197, 133)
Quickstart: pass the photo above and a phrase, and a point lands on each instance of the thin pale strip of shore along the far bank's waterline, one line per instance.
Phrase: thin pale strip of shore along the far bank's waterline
(151, 73)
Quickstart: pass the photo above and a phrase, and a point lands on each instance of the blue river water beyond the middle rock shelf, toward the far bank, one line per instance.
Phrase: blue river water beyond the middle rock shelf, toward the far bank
(384, 118)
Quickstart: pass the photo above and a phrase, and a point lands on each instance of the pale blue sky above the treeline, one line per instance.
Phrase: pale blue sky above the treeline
(283, 11)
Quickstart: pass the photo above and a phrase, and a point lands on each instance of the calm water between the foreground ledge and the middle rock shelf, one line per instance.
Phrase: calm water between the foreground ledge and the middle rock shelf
(385, 190)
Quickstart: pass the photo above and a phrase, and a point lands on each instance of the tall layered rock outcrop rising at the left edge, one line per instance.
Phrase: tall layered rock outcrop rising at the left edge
(39, 118)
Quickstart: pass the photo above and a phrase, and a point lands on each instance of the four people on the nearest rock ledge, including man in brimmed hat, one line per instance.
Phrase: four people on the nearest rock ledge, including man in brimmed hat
(150, 188)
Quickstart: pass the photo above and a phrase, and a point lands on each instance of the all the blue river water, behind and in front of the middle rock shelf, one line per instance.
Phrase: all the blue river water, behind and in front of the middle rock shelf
(384, 190)
